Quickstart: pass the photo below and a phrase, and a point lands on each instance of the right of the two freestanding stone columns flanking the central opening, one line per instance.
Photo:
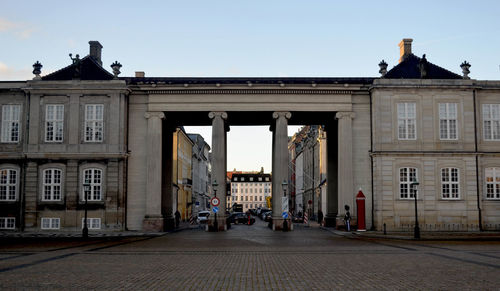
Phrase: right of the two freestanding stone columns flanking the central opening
(280, 165)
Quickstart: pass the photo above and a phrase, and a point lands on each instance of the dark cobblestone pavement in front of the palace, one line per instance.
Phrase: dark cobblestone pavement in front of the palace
(248, 258)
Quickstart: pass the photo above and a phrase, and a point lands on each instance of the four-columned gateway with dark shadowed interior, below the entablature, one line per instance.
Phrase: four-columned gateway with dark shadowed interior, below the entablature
(160, 187)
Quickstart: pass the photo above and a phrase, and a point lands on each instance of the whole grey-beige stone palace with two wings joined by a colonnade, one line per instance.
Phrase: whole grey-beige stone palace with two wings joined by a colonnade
(84, 138)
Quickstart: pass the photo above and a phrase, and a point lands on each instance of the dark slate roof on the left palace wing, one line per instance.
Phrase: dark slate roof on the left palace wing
(90, 69)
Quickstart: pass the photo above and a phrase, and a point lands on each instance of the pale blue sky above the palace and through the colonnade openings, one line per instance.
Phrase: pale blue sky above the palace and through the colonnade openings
(259, 38)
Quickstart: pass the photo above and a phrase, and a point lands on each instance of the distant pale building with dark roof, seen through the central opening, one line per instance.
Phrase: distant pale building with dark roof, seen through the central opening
(250, 189)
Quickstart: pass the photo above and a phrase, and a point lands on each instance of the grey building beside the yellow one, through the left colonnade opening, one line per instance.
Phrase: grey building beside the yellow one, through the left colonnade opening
(201, 173)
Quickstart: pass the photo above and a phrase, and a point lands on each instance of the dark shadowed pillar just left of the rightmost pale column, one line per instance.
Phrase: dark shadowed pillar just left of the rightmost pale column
(332, 196)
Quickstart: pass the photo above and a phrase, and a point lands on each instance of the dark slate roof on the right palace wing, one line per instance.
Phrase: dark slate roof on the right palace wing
(409, 69)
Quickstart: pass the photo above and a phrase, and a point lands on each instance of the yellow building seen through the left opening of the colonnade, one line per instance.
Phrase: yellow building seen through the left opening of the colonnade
(182, 172)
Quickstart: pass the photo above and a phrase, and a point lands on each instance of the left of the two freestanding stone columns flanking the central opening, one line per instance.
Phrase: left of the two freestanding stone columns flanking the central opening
(219, 163)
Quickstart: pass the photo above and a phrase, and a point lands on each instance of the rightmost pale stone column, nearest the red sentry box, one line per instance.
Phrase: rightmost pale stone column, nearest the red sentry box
(345, 174)
